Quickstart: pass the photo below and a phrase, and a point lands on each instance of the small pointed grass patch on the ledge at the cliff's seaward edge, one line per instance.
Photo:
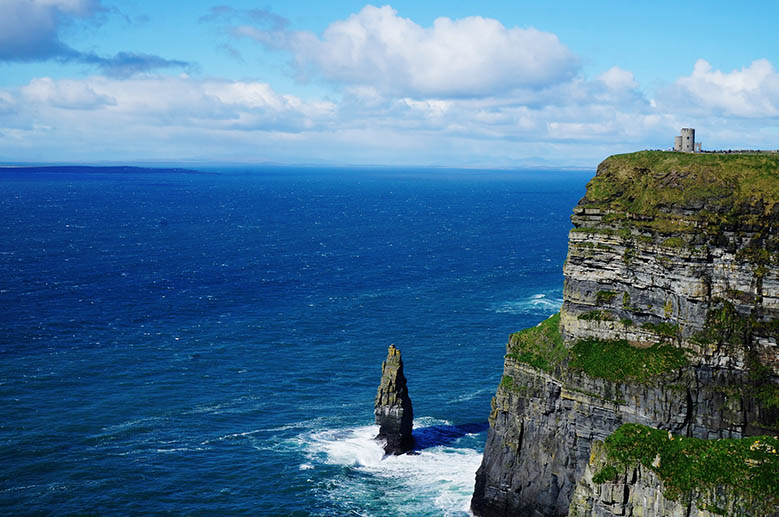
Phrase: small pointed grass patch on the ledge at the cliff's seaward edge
(540, 346)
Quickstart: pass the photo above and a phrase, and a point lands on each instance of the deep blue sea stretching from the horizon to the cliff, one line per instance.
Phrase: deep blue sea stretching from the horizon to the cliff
(212, 343)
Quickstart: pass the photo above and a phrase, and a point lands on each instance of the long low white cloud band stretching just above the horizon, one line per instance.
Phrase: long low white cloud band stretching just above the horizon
(148, 114)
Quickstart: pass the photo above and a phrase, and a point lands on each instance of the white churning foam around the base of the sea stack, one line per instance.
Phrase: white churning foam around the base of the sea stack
(437, 480)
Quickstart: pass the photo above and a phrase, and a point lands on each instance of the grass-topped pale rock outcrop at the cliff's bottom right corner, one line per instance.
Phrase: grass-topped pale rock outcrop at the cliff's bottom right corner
(634, 489)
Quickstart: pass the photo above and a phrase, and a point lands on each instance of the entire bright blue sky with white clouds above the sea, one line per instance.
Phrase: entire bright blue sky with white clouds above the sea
(458, 84)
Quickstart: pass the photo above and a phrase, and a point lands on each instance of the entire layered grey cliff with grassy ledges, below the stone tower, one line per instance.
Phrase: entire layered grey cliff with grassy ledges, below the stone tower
(670, 320)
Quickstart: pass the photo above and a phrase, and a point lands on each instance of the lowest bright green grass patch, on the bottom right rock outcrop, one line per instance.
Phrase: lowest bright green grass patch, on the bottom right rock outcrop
(748, 466)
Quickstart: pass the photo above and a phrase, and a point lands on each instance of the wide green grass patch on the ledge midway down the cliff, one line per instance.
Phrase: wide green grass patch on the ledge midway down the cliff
(618, 361)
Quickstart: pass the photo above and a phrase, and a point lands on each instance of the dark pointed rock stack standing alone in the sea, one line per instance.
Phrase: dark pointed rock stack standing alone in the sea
(394, 415)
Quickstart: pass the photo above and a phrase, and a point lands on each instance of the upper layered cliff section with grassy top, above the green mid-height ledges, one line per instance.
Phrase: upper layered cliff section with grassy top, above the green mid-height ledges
(674, 241)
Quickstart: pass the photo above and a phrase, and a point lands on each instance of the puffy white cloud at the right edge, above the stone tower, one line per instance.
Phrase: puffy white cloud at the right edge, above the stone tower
(752, 92)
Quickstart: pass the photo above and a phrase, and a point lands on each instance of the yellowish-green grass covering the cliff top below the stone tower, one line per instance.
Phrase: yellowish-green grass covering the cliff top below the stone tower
(643, 181)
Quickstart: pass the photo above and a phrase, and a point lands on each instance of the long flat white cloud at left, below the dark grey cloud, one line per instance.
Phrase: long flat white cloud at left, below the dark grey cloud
(169, 101)
